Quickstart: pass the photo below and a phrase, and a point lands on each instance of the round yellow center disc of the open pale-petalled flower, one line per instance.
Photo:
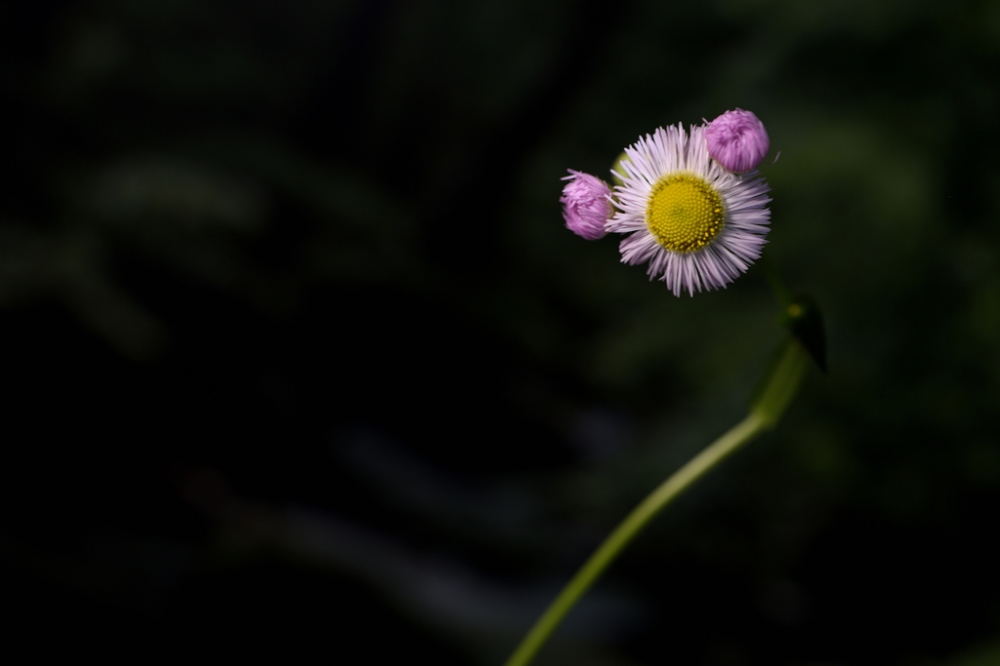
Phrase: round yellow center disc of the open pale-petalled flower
(684, 212)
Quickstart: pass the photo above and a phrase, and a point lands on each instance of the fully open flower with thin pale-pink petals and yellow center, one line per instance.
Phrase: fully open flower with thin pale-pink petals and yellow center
(698, 225)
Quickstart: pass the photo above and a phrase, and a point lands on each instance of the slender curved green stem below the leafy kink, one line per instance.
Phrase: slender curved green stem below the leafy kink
(740, 434)
